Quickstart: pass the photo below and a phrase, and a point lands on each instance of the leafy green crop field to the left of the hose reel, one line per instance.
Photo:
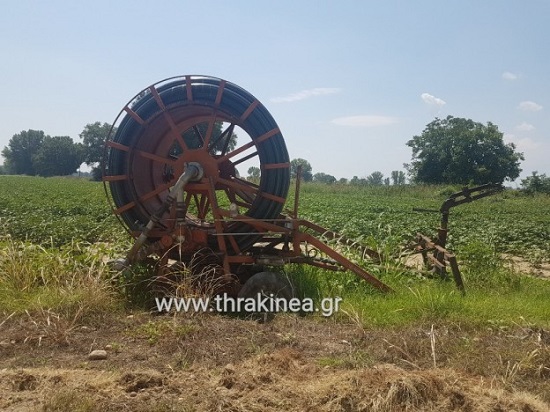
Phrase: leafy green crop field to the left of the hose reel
(55, 211)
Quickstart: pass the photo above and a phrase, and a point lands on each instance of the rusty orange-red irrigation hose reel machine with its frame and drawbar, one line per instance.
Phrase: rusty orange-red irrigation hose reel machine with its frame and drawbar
(170, 172)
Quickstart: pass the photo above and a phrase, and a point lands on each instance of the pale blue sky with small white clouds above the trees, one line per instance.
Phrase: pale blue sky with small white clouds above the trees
(348, 82)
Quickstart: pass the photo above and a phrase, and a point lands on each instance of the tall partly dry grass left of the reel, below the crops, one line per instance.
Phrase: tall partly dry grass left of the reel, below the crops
(73, 280)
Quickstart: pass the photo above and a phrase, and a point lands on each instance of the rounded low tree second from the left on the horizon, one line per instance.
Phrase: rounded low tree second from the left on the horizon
(58, 156)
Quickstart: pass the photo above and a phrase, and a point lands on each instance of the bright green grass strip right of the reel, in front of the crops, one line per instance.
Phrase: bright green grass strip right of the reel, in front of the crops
(496, 294)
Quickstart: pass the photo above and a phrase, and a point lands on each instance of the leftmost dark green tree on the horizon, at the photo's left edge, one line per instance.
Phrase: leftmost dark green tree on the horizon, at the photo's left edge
(20, 151)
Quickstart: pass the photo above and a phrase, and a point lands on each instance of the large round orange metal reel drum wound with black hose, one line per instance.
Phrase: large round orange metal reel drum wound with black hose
(194, 119)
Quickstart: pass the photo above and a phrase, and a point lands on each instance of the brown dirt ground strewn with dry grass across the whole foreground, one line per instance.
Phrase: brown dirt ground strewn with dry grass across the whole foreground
(218, 363)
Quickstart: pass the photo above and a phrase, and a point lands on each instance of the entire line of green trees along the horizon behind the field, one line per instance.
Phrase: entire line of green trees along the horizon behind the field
(448, 151)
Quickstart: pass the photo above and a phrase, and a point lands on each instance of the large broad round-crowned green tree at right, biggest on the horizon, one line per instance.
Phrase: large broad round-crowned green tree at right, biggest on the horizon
(461, 151)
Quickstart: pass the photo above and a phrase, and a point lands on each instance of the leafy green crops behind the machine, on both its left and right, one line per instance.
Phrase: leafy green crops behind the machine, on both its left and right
(58, 211)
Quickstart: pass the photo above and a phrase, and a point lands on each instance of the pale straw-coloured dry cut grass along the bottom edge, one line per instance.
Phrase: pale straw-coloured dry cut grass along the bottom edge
(282, 380)
